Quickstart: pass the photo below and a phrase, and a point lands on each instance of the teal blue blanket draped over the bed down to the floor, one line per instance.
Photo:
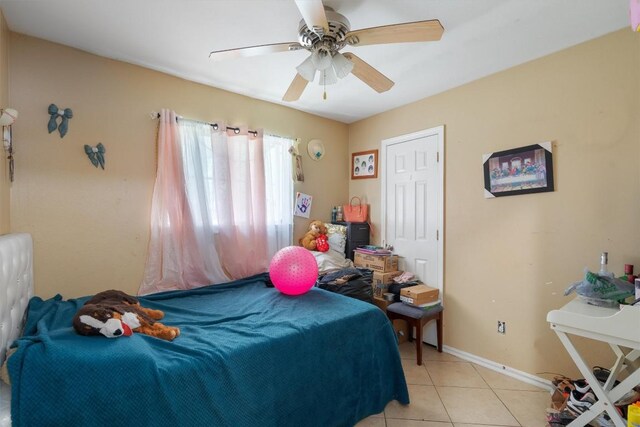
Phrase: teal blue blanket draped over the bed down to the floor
(247, 355)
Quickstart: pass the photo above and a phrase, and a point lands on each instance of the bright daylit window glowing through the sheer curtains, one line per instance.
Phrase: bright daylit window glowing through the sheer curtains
(218, 171)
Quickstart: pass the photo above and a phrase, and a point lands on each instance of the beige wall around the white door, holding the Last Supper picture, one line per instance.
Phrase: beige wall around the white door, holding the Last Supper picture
(511, 258)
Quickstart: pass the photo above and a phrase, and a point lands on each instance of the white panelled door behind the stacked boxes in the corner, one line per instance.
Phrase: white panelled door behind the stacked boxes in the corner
(412, 214)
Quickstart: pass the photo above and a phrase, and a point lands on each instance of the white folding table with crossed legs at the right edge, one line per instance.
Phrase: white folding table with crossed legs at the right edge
(620, 328)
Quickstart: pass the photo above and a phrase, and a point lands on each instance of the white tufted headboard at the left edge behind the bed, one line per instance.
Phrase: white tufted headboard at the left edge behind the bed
(16, 286)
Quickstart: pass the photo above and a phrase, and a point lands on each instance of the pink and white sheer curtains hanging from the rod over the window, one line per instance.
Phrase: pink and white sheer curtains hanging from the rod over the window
(234, 195)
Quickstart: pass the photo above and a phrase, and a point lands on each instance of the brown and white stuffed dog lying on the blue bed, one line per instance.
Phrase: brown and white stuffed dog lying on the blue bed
(115, 314)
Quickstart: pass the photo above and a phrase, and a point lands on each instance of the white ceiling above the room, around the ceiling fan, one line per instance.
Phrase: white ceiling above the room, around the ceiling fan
(481, 37)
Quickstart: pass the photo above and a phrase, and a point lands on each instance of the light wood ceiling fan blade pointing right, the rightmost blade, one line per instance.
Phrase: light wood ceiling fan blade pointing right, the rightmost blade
(421, 31)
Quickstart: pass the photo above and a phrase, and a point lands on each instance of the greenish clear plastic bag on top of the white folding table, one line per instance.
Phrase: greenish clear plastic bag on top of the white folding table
(601, 290)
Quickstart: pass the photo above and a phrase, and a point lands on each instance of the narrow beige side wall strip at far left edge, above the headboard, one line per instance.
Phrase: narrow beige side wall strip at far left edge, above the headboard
(4, 99)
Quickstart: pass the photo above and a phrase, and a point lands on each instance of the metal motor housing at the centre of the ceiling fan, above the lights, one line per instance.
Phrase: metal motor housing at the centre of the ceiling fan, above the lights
(314, 39)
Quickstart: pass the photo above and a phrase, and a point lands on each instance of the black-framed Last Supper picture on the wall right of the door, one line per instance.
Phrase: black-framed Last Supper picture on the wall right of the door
(521, 170)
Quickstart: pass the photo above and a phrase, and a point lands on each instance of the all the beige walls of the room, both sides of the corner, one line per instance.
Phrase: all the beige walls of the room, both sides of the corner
(506, 259)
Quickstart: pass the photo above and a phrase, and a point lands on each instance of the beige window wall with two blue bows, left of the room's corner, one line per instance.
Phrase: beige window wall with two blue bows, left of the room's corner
(91, 227)
